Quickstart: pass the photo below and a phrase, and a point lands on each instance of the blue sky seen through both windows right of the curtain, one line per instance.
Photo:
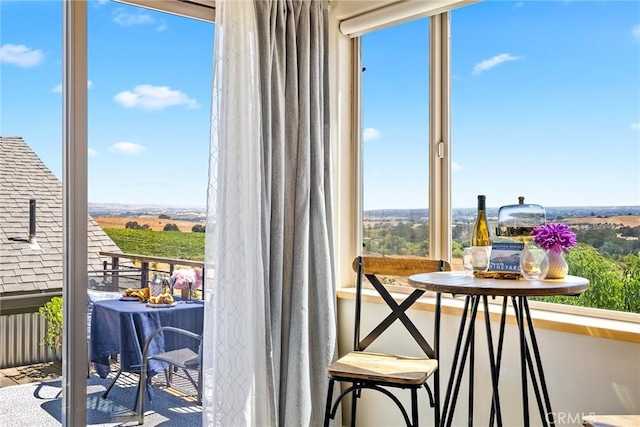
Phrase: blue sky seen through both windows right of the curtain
(545, 104)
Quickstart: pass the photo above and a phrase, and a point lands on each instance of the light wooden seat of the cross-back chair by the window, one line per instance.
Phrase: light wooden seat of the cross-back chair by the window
(383, 368)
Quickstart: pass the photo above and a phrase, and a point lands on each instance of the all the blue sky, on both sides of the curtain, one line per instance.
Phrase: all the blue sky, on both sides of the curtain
(545, 102)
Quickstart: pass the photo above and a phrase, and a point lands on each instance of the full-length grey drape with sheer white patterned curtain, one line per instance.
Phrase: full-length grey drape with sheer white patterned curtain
(270, 303)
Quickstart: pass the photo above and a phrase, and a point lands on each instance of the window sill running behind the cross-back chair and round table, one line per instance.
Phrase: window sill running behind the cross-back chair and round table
(573, 322)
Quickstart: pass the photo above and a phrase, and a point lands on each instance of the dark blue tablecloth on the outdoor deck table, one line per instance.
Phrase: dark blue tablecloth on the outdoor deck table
(122, 327)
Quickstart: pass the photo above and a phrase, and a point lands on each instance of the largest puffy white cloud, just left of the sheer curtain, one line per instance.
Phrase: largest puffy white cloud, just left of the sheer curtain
(149, 97)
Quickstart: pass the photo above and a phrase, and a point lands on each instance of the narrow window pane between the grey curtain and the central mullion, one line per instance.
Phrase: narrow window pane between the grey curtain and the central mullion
(395, 138)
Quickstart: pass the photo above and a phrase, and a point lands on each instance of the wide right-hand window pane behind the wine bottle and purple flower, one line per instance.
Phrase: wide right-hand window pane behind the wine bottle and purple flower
(545, 104)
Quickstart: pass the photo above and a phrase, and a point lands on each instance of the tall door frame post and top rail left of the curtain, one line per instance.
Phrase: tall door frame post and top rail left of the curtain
(75, 182)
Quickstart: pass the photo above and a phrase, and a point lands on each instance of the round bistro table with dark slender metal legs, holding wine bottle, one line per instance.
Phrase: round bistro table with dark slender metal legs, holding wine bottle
(475, 289)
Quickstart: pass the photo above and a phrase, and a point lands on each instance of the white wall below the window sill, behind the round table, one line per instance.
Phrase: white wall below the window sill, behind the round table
(584, 375)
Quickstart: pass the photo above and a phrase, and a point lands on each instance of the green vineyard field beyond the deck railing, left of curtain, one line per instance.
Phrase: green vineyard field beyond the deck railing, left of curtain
(167, 244)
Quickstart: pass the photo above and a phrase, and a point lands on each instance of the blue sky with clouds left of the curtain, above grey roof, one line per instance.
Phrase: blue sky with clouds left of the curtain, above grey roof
(149, 97)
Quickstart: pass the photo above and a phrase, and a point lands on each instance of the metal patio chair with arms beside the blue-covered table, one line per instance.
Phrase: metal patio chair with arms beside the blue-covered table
(183, 358)
